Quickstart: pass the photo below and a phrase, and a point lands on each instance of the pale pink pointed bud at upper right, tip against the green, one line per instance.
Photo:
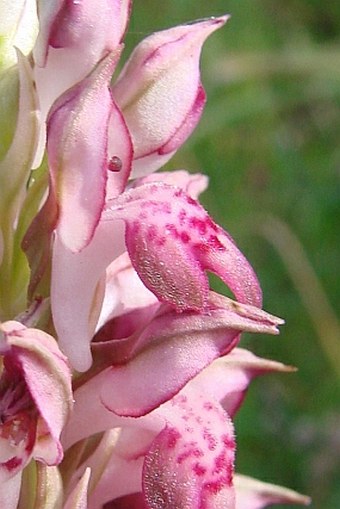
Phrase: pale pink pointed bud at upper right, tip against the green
(160, 93)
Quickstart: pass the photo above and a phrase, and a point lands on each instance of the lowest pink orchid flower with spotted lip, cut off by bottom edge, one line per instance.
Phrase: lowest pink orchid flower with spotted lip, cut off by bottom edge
(181, 452)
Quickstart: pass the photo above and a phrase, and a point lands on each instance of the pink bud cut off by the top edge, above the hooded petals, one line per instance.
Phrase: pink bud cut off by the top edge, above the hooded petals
(73, 38)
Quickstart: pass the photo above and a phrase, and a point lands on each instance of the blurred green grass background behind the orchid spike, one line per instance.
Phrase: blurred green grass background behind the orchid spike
(269, 140)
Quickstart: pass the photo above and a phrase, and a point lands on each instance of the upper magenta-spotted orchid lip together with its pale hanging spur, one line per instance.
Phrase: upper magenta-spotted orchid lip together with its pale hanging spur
(165, 229)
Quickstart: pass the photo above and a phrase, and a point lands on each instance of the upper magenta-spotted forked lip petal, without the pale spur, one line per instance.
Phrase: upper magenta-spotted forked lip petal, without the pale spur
(171, 241)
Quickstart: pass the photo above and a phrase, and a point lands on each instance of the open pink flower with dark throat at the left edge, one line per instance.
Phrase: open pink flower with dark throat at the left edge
(35, 401)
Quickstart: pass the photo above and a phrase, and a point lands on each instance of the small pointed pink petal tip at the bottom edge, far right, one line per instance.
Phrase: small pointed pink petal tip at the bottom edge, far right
(254, 494)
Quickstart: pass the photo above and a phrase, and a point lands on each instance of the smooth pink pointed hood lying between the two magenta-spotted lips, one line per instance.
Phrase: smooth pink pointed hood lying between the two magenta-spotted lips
(175, 348)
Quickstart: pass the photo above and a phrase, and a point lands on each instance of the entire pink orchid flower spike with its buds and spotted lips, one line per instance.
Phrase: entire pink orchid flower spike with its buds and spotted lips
(132, 404)
